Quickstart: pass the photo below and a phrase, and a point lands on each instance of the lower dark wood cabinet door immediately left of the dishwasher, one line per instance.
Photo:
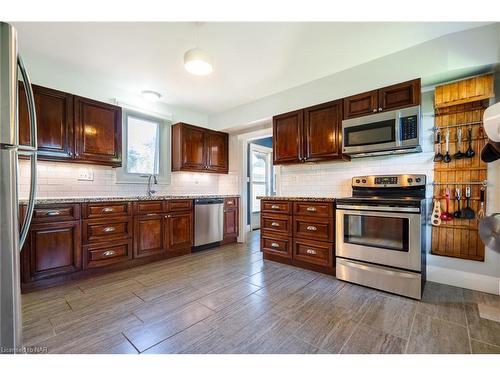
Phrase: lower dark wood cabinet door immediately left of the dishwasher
(179, 235)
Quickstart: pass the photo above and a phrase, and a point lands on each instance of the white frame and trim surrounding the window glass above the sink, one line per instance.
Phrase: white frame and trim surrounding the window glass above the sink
(164, 162)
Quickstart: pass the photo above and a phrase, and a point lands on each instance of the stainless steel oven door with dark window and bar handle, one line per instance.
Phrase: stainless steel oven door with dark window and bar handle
(389, 236)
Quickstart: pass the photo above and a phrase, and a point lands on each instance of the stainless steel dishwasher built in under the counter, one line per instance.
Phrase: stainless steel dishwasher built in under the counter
(208, 222)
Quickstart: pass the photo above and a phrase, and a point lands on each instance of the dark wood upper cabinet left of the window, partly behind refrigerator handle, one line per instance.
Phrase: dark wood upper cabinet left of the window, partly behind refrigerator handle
(71, 128)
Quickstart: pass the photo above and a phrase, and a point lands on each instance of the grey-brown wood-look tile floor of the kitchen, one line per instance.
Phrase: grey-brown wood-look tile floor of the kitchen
(228, 300)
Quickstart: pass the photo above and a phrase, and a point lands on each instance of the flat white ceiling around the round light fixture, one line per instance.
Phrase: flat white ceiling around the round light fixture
(251, 60)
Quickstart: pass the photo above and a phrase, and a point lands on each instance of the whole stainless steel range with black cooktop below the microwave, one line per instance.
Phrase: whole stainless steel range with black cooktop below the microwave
(380, 234)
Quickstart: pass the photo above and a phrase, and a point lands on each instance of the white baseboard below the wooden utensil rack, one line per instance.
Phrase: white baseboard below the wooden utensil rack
(467, 280)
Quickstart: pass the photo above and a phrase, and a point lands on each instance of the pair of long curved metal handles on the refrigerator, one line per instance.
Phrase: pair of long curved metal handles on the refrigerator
(29, 151)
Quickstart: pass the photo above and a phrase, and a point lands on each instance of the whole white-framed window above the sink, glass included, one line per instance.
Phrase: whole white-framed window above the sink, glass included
(145, 148)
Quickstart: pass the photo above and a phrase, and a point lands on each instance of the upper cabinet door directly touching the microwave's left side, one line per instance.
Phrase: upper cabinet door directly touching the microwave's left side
(322, 129)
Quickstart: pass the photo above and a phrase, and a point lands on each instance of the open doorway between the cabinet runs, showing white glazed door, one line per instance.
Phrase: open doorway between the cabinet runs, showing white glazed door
(261, 177)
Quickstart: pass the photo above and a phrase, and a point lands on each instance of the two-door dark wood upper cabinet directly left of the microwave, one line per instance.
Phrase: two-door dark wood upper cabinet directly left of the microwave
(309, 134)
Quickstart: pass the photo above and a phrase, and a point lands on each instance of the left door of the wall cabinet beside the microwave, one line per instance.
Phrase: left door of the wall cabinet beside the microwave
(287, 137)
